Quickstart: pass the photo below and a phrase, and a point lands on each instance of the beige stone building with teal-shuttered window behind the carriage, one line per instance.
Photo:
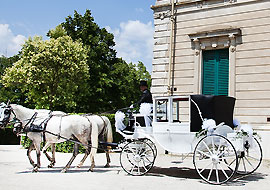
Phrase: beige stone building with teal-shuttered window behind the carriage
(217, 47)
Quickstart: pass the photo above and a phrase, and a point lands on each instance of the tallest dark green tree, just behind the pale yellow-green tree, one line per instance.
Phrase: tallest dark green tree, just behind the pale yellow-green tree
(101, 58)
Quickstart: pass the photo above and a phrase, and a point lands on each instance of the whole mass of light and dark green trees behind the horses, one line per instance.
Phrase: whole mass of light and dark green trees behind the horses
(76, 70)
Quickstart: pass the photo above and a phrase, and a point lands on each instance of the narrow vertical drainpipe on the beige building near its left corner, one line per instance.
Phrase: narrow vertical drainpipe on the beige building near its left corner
(170, 90)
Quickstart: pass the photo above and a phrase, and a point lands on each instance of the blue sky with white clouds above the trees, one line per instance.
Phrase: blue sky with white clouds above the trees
(131, 22)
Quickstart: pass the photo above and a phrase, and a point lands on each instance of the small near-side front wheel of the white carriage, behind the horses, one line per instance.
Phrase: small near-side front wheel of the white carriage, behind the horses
(137, 157)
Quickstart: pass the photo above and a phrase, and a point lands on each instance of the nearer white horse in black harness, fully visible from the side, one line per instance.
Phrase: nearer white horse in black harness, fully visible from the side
(73, 127)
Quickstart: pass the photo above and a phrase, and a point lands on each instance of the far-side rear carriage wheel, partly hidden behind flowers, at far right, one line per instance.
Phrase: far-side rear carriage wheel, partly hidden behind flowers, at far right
(250, 159)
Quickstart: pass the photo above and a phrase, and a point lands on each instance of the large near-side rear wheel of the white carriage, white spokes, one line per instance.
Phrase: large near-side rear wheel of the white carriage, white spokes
(215, 159)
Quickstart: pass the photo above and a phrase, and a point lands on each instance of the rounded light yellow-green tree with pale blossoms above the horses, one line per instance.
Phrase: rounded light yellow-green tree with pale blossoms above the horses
(50, 72)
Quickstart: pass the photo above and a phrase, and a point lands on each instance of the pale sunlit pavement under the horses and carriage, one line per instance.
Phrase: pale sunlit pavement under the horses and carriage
(169, 173)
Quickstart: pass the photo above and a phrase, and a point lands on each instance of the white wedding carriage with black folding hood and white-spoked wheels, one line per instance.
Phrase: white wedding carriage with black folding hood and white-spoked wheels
(196, 124)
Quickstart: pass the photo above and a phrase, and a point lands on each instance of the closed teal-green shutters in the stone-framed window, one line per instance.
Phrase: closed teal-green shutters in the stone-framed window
(215, 72)
